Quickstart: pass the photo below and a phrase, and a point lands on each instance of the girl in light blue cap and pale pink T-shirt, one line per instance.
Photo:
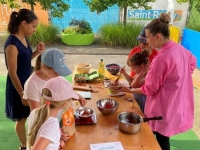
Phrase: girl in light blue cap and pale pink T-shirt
(49, 64)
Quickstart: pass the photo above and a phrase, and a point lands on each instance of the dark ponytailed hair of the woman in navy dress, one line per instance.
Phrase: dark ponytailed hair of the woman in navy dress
(17, 17)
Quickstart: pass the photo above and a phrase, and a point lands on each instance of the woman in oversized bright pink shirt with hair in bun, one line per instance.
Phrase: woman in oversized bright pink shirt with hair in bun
(168, 84)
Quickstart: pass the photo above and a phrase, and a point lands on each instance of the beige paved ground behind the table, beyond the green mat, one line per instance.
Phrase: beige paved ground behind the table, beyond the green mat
(92, 54)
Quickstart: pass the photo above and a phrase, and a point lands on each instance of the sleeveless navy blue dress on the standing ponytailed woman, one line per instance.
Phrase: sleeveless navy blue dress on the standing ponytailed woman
(14, 108)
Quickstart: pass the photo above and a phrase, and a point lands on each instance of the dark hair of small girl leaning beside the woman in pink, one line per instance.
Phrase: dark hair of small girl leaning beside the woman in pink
(139, 58)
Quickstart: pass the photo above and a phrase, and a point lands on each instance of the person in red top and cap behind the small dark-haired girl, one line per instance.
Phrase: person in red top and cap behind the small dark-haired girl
(143, 45)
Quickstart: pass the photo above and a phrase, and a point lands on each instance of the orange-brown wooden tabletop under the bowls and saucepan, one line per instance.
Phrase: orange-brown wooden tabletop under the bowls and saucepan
(106, 128)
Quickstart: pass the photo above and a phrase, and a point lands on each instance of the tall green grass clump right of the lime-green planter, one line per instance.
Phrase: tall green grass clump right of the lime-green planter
(119, 35)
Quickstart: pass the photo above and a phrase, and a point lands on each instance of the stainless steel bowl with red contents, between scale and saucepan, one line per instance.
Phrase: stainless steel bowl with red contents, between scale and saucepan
(107, 106)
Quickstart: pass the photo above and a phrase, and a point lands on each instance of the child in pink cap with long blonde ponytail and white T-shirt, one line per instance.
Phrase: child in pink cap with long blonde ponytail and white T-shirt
(43, 126)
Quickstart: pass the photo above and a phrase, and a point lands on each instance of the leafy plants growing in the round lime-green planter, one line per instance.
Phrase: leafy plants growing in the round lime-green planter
(78, 27)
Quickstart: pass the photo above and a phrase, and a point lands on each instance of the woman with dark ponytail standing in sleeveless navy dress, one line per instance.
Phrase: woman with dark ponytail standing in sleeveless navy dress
(18, 56)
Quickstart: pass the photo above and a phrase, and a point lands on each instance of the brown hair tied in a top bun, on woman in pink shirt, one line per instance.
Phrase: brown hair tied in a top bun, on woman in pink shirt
(160, 25)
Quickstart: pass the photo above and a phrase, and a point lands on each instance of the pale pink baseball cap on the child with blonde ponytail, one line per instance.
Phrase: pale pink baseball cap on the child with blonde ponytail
(60, 89)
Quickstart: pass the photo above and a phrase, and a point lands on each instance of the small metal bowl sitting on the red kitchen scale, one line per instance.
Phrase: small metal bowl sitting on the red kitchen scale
(84, 112)
